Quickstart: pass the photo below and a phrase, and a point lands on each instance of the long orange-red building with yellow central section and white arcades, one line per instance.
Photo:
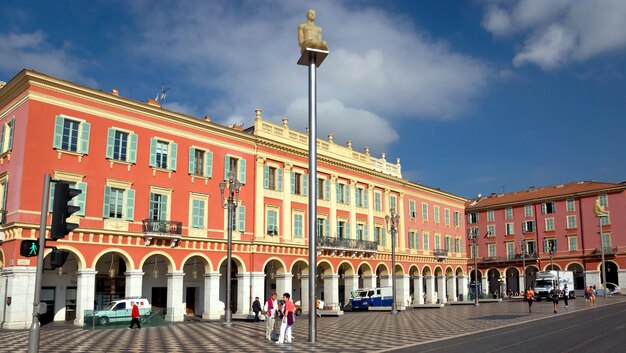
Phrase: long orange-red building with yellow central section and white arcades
(152, 222)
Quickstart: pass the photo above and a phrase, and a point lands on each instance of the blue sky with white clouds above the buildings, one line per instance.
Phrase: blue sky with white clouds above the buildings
(473, 96)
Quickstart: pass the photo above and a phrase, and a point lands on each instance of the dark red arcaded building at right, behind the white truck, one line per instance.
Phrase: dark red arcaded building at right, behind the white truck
(545, 228)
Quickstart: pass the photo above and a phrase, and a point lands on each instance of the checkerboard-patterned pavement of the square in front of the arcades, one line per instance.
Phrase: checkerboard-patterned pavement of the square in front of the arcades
(352, 332)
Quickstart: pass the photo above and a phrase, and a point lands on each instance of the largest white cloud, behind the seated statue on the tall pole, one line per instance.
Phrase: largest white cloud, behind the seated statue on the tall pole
(245, 55)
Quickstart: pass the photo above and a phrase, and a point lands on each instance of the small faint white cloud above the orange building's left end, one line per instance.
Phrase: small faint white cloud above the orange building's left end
(32, 51)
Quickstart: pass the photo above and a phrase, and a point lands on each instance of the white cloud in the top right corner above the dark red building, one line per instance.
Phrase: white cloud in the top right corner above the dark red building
(559, 31)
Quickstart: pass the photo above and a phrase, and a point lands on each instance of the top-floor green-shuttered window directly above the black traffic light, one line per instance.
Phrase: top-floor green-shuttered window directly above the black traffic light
(69, 134)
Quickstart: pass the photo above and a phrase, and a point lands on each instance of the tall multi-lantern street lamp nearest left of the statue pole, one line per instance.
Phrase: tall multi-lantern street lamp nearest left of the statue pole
(231, 204)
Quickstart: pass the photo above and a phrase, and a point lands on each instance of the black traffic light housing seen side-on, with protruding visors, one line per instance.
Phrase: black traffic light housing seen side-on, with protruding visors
(61, 211)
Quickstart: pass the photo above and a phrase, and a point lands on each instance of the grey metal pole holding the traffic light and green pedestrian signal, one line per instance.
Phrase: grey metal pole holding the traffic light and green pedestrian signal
(33, 333)
